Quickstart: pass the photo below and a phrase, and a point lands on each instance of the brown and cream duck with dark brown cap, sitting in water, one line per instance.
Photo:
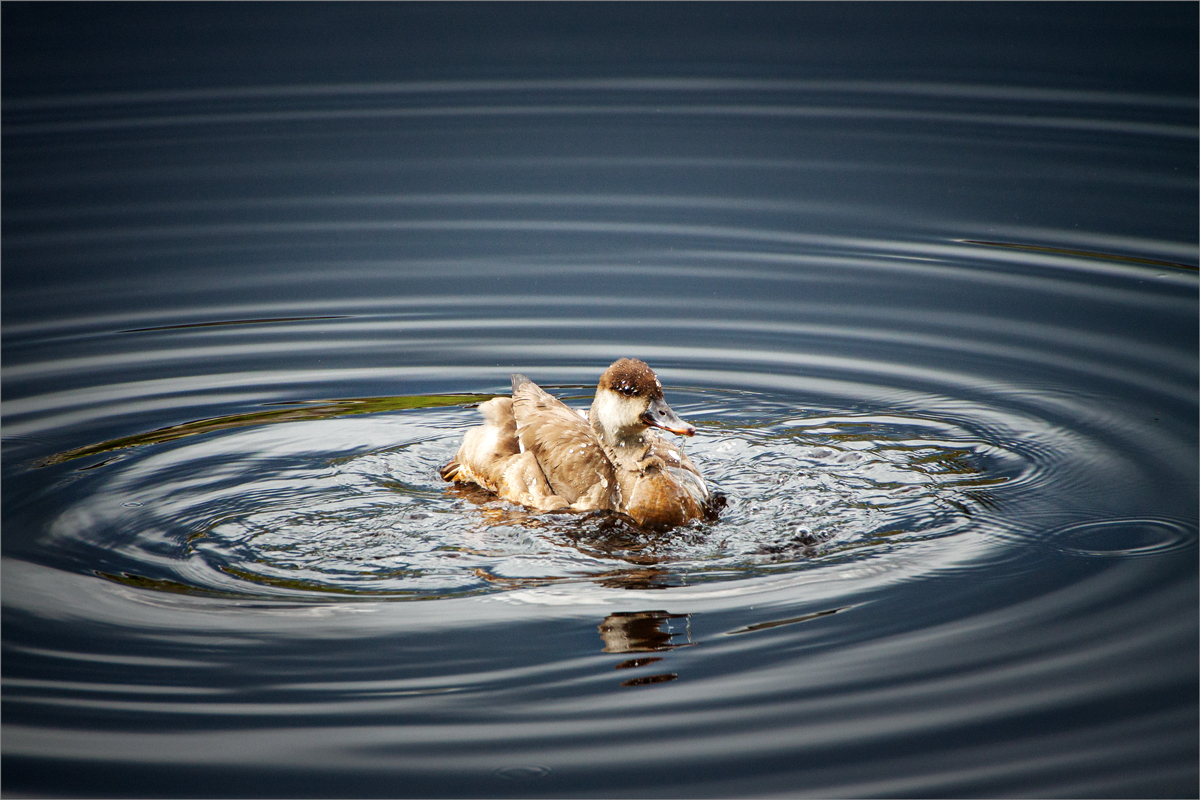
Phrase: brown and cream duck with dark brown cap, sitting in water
(537, 452)
